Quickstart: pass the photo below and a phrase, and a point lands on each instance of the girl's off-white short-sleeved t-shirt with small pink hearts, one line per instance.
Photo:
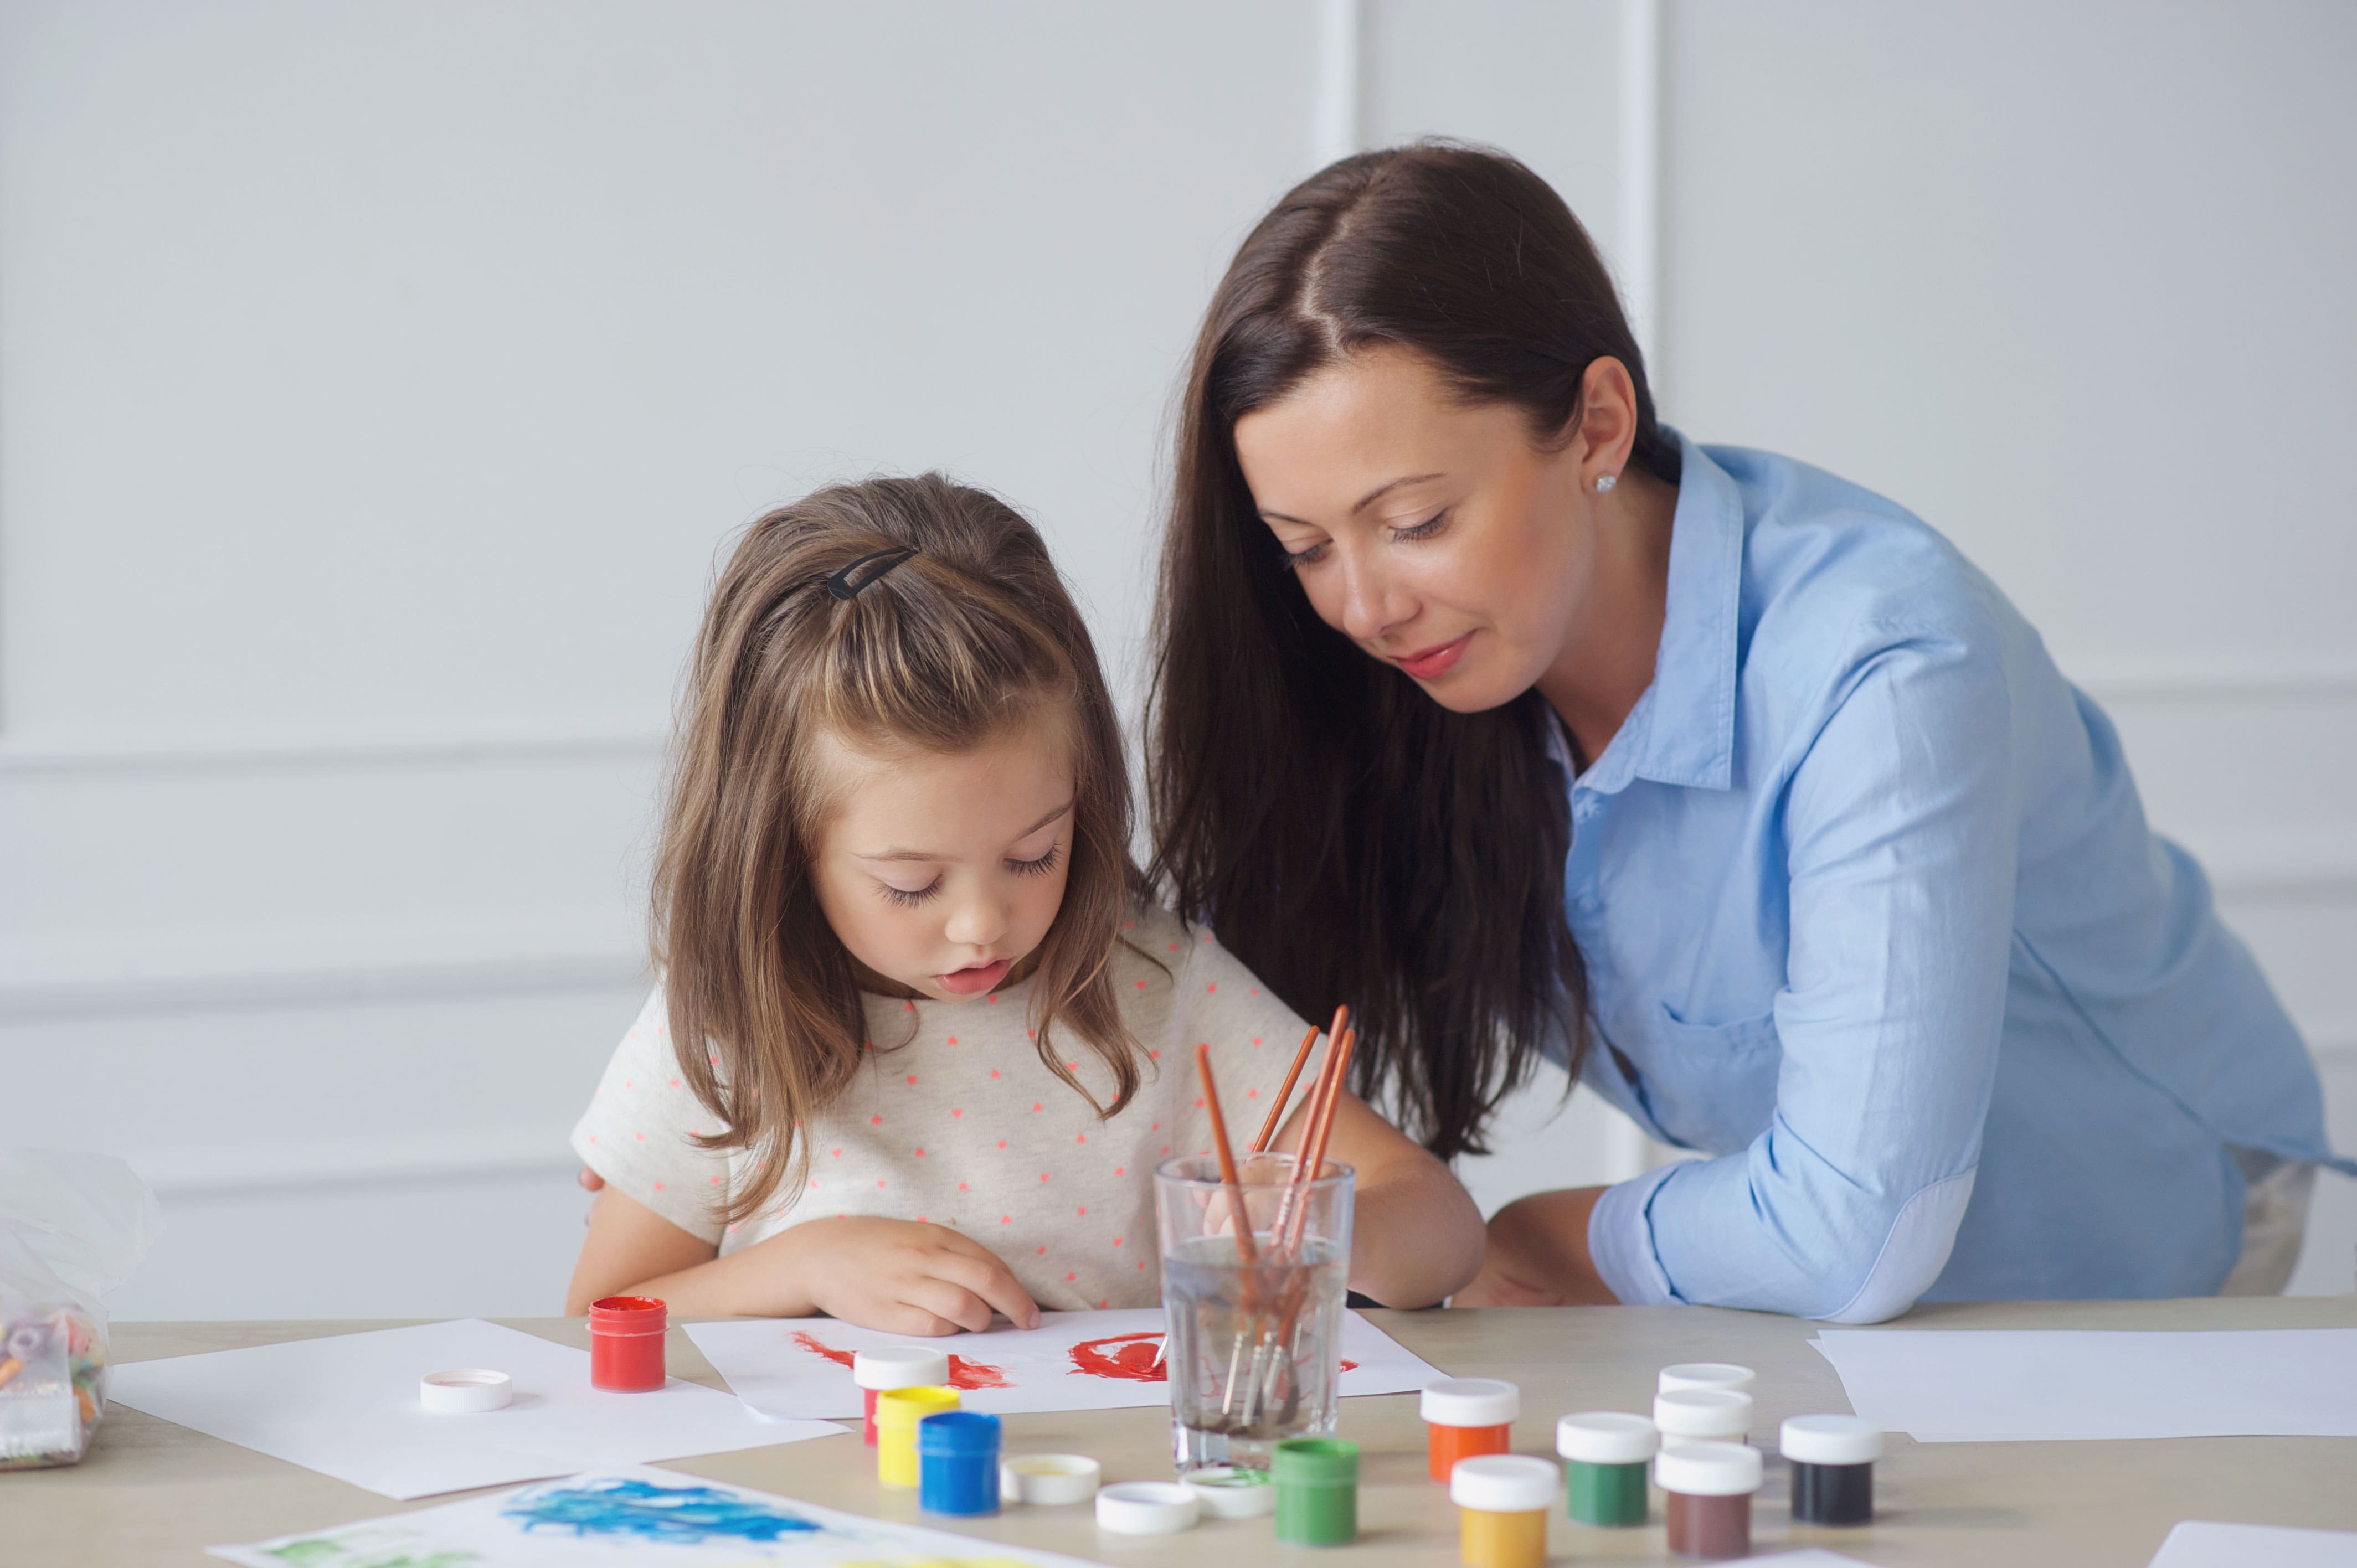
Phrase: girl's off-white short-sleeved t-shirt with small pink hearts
(958, 1121)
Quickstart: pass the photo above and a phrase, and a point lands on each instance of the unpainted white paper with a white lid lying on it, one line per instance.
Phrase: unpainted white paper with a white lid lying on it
(348, 1406)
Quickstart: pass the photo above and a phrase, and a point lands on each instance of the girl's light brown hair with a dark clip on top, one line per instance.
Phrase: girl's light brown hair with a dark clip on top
(942, 654)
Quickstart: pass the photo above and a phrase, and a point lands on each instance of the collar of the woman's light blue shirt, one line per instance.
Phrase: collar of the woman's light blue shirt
(1682, 730)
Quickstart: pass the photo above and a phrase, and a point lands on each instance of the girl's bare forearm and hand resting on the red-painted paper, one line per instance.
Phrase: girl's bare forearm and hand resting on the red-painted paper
(890, 1274)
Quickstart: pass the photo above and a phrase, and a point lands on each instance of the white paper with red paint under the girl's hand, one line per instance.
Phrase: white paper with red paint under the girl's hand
(1071, 1362)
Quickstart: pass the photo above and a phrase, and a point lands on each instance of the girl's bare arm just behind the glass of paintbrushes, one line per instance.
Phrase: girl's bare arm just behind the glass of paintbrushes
(1415, 1234)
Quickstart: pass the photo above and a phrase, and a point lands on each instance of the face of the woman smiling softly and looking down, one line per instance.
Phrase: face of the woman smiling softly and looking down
(1425, 529)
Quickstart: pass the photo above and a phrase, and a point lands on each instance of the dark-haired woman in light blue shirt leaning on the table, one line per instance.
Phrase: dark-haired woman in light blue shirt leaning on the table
(1526, 725)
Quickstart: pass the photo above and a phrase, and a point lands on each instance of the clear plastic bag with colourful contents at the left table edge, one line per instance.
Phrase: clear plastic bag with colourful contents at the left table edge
(72, 1230)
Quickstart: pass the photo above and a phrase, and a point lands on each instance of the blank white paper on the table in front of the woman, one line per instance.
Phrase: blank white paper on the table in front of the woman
(2047, 1385)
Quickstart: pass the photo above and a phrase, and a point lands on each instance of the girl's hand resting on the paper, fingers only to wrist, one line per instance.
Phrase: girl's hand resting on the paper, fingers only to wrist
(899, 1277)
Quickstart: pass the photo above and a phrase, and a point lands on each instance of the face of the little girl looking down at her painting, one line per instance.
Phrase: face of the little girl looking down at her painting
(944, 874)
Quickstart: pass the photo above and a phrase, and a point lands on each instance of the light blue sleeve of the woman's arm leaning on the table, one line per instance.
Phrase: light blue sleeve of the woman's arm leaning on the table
(1901, 852)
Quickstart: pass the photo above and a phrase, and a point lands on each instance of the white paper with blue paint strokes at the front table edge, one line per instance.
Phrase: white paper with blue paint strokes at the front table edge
(630, 1520)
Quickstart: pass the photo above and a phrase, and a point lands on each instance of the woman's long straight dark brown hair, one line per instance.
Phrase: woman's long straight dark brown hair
(1352, 838)
